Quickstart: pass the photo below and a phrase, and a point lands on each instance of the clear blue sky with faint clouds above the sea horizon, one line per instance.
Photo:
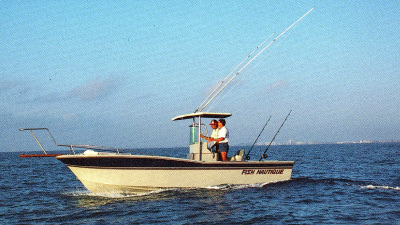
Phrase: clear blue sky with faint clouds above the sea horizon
(116, 73)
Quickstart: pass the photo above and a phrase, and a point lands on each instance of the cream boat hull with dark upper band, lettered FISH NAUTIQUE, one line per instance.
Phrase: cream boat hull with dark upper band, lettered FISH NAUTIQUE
(159, 174)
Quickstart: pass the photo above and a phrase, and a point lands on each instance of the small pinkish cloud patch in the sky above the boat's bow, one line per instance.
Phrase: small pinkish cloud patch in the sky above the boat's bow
(96, 89)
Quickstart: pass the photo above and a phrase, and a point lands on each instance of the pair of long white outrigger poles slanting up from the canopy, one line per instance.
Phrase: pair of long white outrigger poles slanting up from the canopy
(221, 87)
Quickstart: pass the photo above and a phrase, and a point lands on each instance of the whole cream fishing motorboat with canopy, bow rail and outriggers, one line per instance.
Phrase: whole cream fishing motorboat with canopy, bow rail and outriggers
(103, 171)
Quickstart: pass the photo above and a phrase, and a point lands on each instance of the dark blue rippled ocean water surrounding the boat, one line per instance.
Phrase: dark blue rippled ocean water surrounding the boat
(331, 184)
